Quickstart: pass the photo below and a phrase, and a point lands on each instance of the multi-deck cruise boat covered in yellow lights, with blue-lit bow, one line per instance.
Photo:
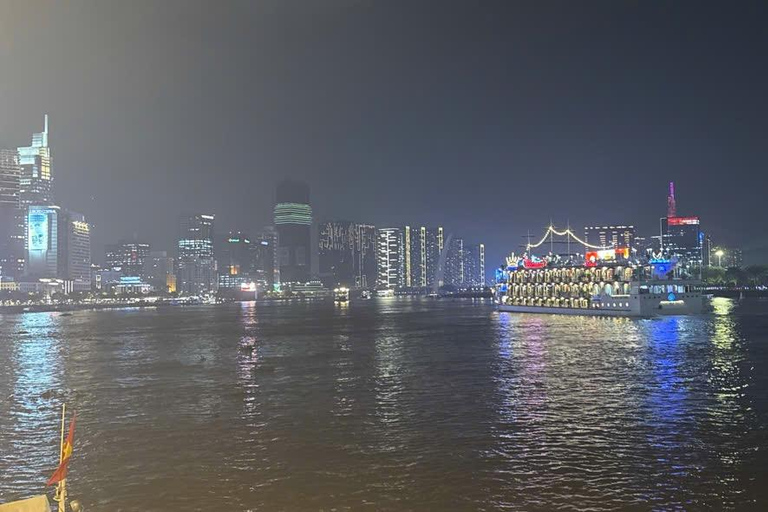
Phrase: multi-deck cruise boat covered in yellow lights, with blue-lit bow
(602, 283)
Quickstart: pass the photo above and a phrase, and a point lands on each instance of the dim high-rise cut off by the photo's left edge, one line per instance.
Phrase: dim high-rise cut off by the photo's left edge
(11, 217)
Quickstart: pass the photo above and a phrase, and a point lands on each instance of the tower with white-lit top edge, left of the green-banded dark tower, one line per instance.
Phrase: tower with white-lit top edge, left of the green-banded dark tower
(196, 267)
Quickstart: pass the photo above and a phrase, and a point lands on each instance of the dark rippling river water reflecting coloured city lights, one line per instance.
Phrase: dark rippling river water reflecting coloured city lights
(388, 404)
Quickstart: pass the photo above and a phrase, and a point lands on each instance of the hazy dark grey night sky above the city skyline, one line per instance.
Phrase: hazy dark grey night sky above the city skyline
(490, 118)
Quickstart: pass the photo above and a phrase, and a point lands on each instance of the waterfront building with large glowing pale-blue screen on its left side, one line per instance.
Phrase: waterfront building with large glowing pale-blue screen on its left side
(59, 246)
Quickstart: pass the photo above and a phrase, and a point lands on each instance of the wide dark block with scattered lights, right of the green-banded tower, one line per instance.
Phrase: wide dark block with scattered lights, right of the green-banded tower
(347, 254)
